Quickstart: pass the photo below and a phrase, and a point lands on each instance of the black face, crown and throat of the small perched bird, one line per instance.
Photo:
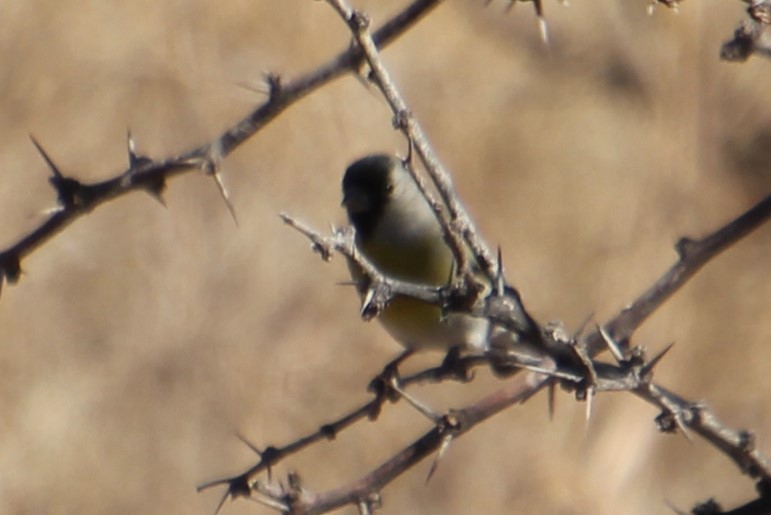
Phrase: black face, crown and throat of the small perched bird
(366, 190)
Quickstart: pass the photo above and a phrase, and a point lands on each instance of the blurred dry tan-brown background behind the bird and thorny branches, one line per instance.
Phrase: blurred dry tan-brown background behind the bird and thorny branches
(142, 339)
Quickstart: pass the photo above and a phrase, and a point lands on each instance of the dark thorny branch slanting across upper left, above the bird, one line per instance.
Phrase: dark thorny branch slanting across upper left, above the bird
(76, 199)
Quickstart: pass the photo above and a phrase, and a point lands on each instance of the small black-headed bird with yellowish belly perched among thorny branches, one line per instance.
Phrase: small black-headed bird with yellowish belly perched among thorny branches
(397, 231)
